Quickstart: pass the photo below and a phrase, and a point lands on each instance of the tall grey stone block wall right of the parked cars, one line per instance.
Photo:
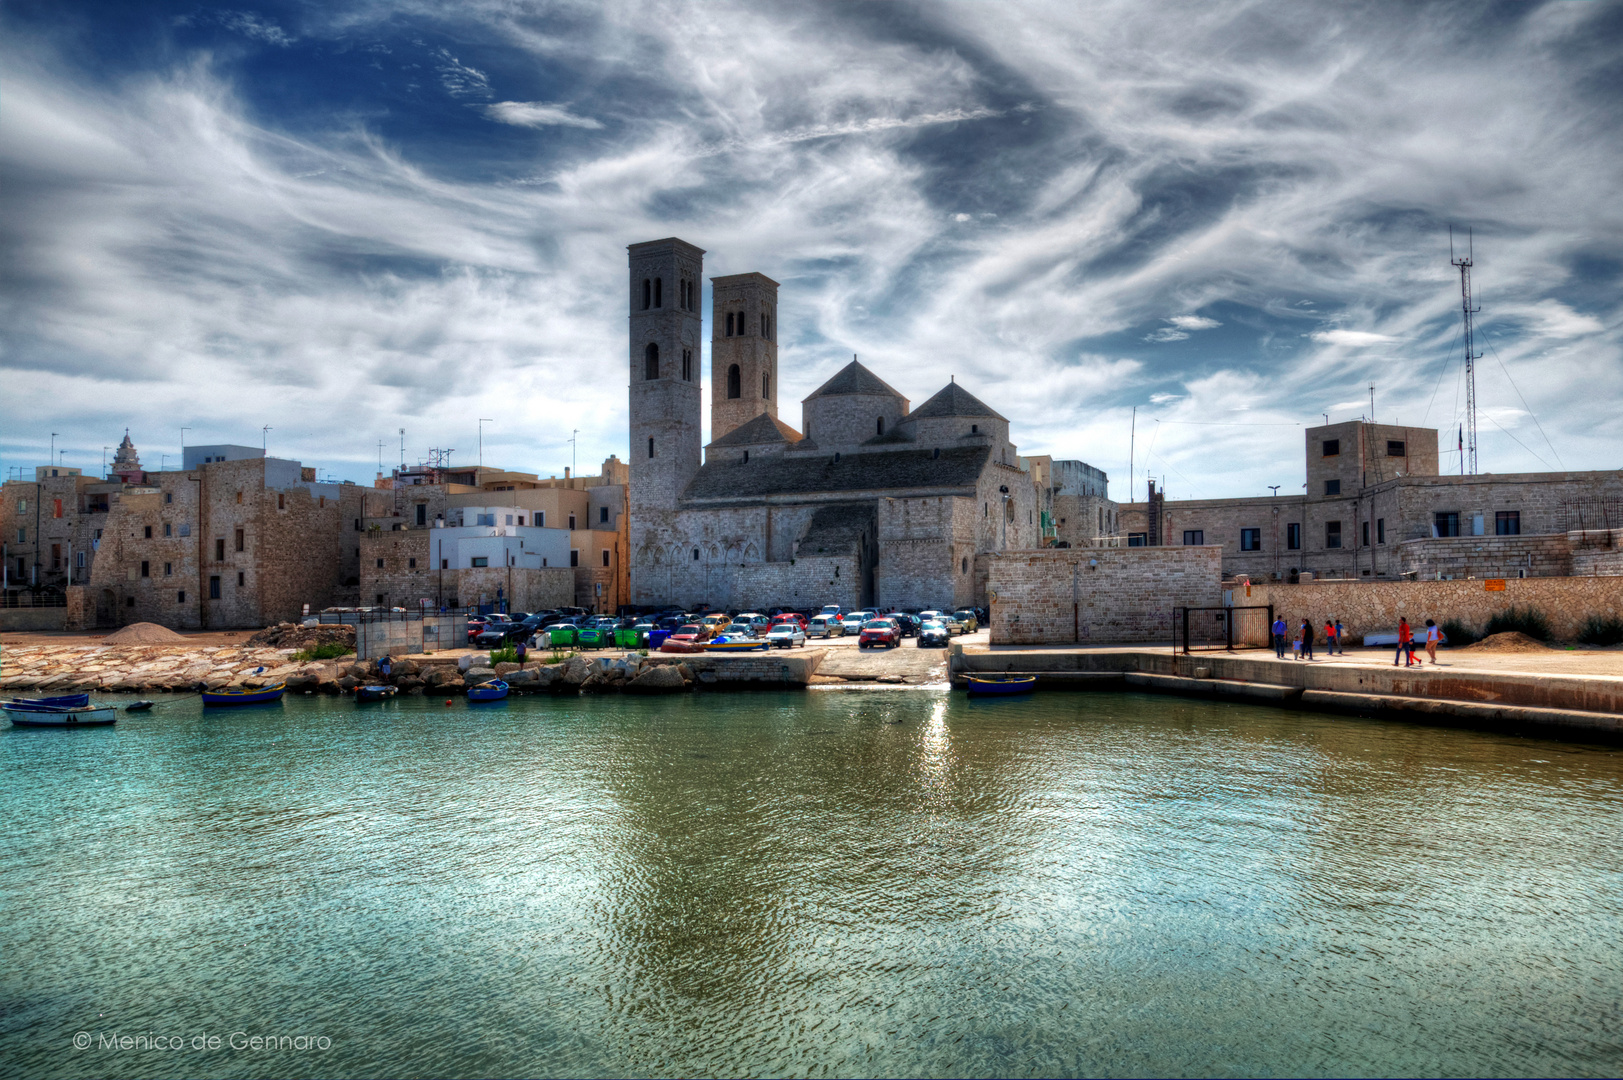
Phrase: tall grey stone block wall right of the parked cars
(1100, 595)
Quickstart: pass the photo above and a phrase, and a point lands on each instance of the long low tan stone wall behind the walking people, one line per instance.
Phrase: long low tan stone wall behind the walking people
(1375, 608)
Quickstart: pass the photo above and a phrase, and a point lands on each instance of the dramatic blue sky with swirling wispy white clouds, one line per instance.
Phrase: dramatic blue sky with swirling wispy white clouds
(347, 218)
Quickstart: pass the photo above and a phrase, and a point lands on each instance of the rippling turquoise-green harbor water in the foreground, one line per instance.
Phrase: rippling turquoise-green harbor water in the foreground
(829, 884)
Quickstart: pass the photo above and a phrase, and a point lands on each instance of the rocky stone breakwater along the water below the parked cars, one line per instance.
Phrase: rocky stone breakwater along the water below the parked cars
(144, 670)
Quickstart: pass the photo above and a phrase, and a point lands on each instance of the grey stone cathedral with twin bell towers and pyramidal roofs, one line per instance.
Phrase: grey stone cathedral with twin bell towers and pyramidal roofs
(869, 504)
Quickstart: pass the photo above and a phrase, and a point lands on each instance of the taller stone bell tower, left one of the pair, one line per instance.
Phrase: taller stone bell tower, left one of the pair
(665, 363)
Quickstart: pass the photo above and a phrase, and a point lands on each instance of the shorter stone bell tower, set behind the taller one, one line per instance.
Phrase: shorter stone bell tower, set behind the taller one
(744, 352)
